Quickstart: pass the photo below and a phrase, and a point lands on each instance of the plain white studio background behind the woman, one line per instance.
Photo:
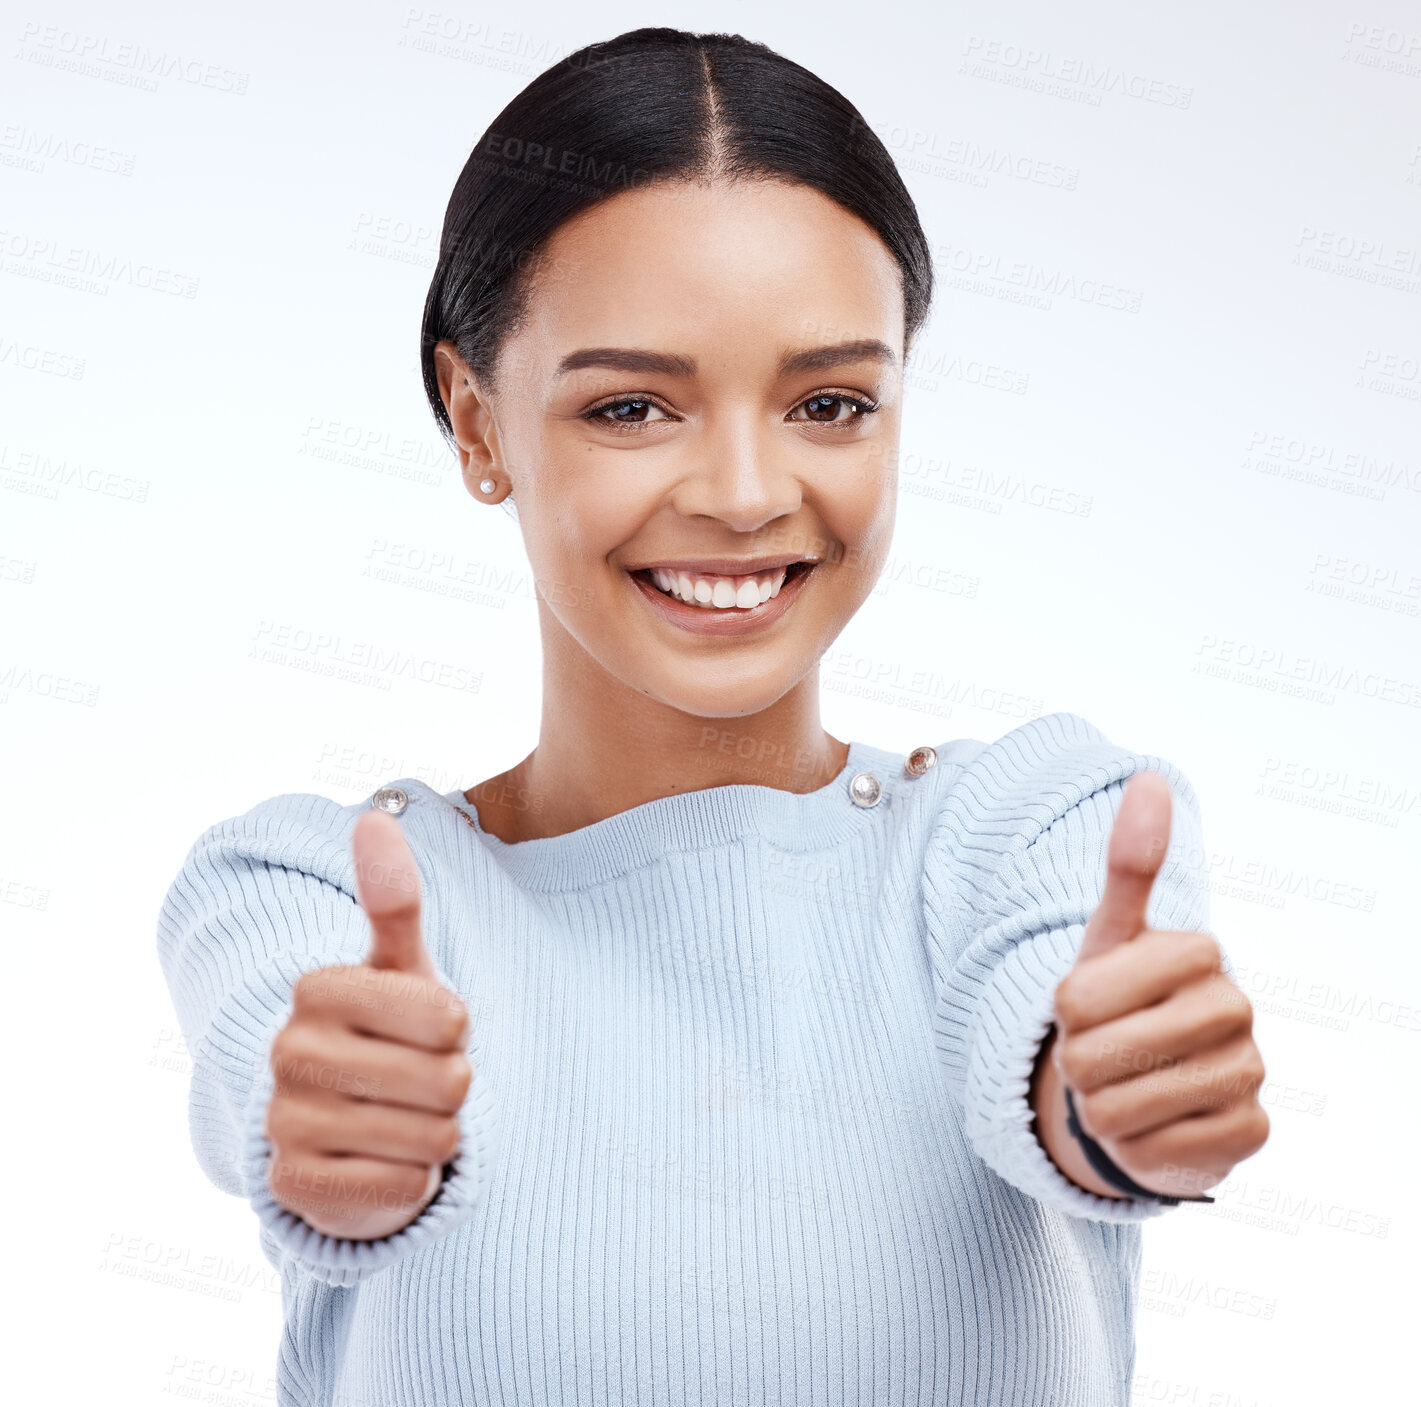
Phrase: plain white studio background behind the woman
(1162, 468)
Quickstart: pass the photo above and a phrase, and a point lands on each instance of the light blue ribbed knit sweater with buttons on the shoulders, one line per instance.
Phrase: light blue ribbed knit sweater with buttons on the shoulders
(750, 1115)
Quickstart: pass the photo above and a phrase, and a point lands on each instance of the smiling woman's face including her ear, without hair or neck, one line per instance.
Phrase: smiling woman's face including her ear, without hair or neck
(650, 414)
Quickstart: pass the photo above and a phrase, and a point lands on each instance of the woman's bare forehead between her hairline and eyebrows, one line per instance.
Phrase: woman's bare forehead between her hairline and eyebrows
(680, 265)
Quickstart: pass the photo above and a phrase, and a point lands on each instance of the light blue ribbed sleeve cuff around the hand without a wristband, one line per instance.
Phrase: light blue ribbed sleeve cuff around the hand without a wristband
(345, 1261)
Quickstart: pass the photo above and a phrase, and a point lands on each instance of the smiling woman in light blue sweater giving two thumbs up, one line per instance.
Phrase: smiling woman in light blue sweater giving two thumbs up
(701, 1055)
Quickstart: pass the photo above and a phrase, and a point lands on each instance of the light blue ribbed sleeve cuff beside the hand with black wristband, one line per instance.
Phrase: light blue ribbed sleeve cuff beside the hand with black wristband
(1012, 1017)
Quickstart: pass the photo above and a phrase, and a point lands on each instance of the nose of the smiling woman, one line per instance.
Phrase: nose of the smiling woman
(741, 478)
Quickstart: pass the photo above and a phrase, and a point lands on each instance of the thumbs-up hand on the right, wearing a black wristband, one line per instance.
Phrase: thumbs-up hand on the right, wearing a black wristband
(1152, 1037)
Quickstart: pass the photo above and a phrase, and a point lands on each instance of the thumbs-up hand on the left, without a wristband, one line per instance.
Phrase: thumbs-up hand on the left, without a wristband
(370, 1071)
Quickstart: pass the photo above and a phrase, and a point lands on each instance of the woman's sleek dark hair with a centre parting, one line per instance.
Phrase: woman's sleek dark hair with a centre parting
(653, 104)
